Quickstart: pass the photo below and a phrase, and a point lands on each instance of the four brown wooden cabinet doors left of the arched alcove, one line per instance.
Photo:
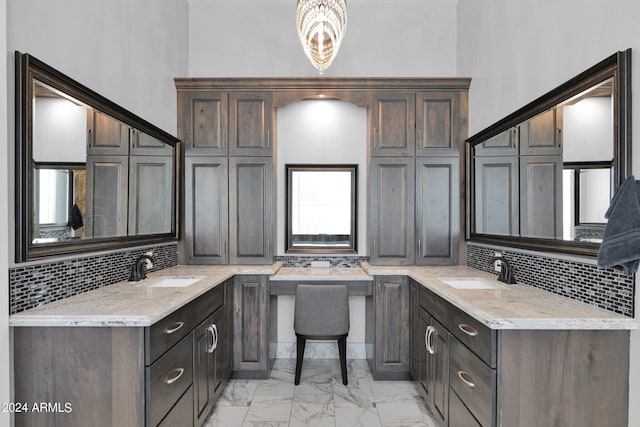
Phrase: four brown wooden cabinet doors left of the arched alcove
(228, 201)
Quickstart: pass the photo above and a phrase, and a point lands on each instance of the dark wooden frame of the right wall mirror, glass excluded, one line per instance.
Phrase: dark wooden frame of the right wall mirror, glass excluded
(618, 67)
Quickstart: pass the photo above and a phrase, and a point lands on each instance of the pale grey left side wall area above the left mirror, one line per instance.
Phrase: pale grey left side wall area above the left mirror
(128, 51)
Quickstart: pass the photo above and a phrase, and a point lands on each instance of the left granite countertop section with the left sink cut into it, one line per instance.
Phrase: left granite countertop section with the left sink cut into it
(133, 304)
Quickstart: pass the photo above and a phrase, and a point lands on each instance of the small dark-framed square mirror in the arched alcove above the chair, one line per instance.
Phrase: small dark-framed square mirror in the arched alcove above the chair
(321, 208)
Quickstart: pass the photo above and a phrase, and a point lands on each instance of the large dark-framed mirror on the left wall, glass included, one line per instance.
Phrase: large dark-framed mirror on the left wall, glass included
(90, 175)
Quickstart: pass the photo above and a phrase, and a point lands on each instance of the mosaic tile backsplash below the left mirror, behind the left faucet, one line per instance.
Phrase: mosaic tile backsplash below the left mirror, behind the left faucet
(34, 285)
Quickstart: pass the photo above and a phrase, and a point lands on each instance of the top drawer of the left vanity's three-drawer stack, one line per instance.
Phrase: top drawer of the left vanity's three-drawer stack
(163, 334)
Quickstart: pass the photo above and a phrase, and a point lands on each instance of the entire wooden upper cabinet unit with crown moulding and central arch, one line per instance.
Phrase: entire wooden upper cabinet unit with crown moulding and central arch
(416, 130)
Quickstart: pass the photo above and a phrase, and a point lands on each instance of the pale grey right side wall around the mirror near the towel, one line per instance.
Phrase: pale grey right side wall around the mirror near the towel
(516, 51)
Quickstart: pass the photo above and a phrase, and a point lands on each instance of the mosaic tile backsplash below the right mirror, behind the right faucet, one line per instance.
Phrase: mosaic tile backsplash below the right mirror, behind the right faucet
(609, 289)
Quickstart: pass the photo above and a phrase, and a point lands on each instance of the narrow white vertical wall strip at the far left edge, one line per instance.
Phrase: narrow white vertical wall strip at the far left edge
(5, 156)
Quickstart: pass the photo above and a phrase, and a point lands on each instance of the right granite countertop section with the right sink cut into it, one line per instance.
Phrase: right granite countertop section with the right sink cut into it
(509, 306)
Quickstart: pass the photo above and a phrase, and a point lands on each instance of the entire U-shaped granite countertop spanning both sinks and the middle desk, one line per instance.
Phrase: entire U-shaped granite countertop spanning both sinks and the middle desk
(505, 307)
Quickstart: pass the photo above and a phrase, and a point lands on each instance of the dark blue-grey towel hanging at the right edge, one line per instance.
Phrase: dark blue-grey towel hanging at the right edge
(620, 248)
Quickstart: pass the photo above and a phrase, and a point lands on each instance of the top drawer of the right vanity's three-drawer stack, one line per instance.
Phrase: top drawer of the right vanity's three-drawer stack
(478, 337)
